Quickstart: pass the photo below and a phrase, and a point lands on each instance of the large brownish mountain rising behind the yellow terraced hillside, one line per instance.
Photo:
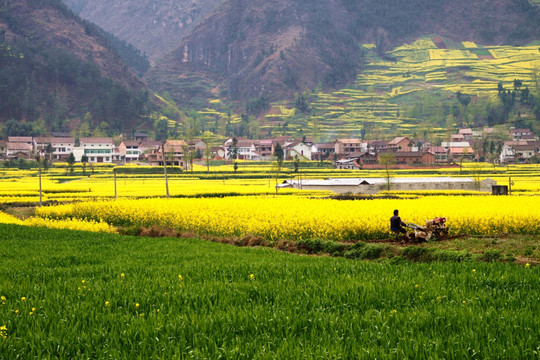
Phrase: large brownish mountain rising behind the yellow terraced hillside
(268, 50)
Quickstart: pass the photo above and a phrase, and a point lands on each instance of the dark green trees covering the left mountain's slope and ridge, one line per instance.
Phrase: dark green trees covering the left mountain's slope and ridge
(39, 80)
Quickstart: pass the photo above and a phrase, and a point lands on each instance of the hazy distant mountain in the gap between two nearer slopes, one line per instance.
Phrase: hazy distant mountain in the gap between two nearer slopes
(153, 26)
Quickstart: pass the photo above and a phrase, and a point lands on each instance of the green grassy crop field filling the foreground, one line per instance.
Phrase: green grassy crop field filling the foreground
(68, 294)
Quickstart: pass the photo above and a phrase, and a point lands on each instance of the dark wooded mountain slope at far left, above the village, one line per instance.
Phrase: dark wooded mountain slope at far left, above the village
(55, 66)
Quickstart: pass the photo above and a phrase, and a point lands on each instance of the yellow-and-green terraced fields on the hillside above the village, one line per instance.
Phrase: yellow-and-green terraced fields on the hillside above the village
(384, 92)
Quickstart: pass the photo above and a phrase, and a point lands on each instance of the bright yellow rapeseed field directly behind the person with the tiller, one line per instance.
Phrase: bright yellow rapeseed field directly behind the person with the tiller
(298, 218)
